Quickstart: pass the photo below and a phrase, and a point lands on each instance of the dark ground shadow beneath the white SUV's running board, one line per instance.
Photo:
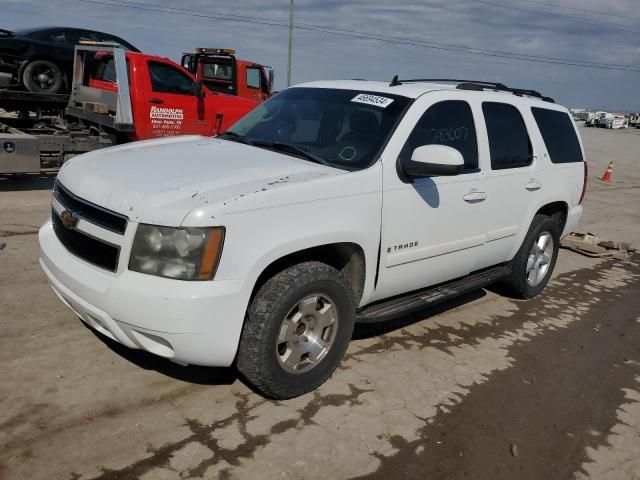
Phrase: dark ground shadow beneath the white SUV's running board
(364, 331)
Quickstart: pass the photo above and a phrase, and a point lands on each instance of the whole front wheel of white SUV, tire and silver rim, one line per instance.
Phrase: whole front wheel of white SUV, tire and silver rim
(296, 330)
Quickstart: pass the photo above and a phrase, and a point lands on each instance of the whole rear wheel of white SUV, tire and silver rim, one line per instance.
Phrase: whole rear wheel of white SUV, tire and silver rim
(532, 266)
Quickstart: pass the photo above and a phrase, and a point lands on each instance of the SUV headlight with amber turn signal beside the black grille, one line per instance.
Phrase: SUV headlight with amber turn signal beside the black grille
(183, 253)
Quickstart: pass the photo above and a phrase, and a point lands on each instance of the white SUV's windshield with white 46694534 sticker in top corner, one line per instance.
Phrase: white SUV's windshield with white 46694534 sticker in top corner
(341, 128)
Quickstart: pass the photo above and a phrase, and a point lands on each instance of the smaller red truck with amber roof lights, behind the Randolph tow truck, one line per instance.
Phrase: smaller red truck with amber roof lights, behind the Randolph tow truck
(222, 72)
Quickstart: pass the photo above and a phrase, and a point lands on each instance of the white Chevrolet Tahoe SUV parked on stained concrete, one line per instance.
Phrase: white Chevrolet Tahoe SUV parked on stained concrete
(333, 202)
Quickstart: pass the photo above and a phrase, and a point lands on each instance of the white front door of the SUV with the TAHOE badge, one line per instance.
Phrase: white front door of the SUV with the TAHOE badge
(432, 228)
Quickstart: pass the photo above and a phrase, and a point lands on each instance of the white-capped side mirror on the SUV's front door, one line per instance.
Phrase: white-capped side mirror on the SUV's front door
(433, 161)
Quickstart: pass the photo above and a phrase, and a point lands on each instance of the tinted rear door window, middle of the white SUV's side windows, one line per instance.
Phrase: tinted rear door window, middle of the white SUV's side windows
(509, 142)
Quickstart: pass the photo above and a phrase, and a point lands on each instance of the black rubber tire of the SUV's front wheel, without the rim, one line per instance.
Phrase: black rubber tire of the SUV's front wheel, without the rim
(258, 356)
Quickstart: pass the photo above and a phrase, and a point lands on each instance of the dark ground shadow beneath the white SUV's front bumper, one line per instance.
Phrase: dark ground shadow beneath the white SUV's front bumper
(191, 373)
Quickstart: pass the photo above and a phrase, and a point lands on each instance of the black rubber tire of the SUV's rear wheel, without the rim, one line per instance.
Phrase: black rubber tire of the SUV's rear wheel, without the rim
(517, 281)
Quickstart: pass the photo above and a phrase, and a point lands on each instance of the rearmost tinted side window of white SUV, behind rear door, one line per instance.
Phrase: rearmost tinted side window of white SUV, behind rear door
(558, 134)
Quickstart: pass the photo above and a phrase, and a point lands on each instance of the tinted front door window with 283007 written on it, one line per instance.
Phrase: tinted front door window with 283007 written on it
(447, 123)
